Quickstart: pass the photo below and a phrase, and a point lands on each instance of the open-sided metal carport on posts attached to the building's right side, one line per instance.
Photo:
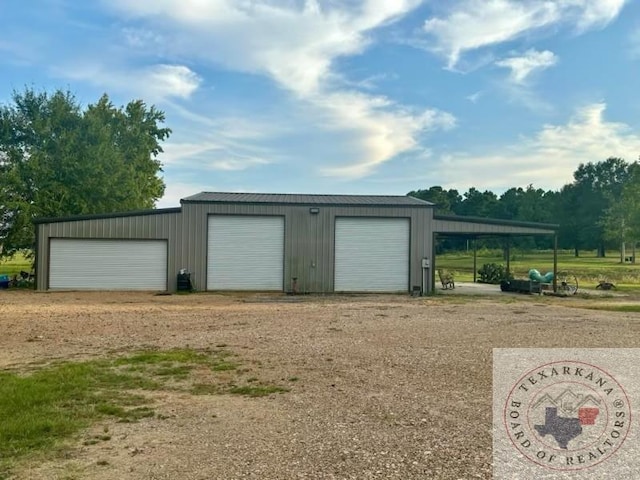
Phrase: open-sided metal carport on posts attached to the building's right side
(473, 228)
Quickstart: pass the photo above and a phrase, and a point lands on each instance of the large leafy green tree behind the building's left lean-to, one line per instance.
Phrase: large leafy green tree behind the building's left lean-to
(57, 158)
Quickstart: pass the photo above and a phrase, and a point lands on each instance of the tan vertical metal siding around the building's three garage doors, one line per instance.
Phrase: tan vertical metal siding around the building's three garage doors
(309, 238)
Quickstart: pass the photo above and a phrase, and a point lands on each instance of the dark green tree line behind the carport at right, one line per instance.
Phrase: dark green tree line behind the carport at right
(598, 210)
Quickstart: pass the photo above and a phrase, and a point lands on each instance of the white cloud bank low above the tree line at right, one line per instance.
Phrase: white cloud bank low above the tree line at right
(549, 158)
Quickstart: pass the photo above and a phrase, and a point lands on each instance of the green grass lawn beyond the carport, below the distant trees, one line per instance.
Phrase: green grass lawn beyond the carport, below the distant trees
(588, 268)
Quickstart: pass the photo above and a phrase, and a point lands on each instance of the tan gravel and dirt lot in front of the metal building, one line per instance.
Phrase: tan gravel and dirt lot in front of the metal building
(389, 387)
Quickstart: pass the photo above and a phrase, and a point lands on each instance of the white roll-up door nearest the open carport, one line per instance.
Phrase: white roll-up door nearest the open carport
(372, 255)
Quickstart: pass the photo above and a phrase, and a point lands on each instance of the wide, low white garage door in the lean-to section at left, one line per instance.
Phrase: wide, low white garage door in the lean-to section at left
(107, 264)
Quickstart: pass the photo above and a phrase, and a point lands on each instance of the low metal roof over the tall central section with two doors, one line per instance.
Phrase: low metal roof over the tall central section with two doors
(303, 199)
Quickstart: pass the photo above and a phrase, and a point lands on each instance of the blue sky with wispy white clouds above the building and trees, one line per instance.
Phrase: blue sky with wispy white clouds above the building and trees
(348, 96)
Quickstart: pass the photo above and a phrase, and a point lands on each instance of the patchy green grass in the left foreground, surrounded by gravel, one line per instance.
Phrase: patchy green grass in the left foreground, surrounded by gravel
(39, 409)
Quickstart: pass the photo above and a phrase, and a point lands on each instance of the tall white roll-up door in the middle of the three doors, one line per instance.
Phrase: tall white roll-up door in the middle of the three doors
(245, 253)
